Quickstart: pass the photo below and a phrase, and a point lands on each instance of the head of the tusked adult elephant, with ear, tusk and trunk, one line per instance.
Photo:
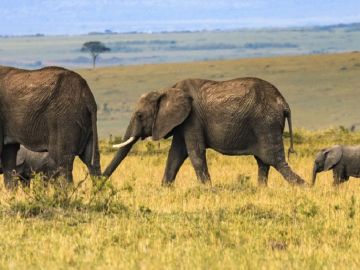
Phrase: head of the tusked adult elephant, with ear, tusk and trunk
(156, 115)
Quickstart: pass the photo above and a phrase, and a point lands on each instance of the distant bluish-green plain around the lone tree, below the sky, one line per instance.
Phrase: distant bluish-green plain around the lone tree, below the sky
(154, 48)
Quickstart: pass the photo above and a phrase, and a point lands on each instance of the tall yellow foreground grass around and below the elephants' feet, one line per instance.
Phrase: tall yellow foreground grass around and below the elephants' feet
(131, 222)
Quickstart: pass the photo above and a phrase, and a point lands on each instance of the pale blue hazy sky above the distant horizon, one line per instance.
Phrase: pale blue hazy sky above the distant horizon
(27, 17)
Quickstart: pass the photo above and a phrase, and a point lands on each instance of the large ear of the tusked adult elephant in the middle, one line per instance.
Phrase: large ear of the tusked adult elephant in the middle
(174, 107)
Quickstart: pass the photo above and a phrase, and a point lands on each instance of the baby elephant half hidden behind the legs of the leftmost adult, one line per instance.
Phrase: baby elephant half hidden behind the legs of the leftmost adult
(29, 162)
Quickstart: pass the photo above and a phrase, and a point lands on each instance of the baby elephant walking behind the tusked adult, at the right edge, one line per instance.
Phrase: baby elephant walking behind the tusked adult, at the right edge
(343, 160)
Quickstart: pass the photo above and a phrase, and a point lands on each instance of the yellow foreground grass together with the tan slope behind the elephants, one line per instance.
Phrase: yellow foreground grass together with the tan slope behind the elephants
(131, 222)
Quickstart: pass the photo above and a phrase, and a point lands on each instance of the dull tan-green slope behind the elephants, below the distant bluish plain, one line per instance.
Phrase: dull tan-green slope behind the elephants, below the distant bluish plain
(322, 90)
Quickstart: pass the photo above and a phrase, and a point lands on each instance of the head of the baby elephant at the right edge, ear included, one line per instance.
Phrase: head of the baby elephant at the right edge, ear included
(326, 159)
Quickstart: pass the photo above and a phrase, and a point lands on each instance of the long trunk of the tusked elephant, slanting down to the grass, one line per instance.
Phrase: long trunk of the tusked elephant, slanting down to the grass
(121, 153)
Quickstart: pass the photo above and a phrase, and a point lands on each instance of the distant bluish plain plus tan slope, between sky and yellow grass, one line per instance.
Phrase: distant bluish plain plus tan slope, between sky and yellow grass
(321, 89)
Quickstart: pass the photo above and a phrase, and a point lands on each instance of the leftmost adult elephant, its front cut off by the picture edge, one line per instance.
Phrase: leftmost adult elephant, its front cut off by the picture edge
(51, 109)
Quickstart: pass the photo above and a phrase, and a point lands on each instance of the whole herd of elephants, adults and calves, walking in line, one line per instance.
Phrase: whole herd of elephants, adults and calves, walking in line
(48, 117)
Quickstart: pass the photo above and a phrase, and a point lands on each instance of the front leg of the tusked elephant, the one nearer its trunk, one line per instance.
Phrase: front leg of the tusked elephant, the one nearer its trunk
(177, 155)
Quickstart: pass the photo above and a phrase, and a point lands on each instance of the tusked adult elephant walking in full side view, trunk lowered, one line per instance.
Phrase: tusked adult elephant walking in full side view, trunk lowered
(243, 116)
